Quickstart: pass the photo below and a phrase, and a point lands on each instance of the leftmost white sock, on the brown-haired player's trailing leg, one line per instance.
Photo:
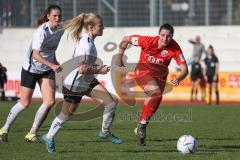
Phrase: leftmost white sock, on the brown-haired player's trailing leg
(13, 114)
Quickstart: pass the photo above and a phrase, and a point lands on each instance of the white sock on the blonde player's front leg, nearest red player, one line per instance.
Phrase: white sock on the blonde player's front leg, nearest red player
(108, 116)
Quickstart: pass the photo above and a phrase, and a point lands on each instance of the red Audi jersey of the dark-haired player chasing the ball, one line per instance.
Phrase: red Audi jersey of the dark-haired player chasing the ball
(155, 59)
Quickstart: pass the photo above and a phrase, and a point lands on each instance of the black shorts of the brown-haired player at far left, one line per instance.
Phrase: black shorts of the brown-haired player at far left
(29, 79)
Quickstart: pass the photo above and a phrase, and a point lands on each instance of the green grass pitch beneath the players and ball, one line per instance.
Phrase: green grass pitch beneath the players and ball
(217, 130)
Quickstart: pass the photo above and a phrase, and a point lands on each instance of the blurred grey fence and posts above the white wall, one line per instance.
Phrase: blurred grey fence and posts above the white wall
(123, 13)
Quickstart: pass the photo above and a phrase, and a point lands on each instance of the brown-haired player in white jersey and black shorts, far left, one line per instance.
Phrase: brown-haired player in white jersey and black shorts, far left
(39, 66)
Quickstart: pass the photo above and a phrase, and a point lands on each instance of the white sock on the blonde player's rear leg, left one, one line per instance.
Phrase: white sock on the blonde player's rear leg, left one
(56, 125)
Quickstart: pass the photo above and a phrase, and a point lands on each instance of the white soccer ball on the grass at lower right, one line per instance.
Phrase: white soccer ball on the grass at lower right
(187, 144)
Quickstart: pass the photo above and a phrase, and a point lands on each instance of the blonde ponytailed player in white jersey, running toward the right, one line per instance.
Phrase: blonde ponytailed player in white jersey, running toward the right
(82, 82)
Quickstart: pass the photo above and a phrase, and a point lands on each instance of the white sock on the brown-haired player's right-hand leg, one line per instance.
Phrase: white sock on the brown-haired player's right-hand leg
(40, 116)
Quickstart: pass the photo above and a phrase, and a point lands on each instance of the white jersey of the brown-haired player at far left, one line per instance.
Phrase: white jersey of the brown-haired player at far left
(46, 42)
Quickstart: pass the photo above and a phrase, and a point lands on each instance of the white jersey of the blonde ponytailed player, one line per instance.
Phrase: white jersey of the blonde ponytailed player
(86, 52)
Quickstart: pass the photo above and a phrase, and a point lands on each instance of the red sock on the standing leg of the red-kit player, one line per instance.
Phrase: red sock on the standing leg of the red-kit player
(150, 107)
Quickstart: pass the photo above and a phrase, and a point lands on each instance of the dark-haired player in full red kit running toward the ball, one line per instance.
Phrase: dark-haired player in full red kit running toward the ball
(152, 69)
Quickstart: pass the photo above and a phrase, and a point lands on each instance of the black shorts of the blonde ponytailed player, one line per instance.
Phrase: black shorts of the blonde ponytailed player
(76, 97)
